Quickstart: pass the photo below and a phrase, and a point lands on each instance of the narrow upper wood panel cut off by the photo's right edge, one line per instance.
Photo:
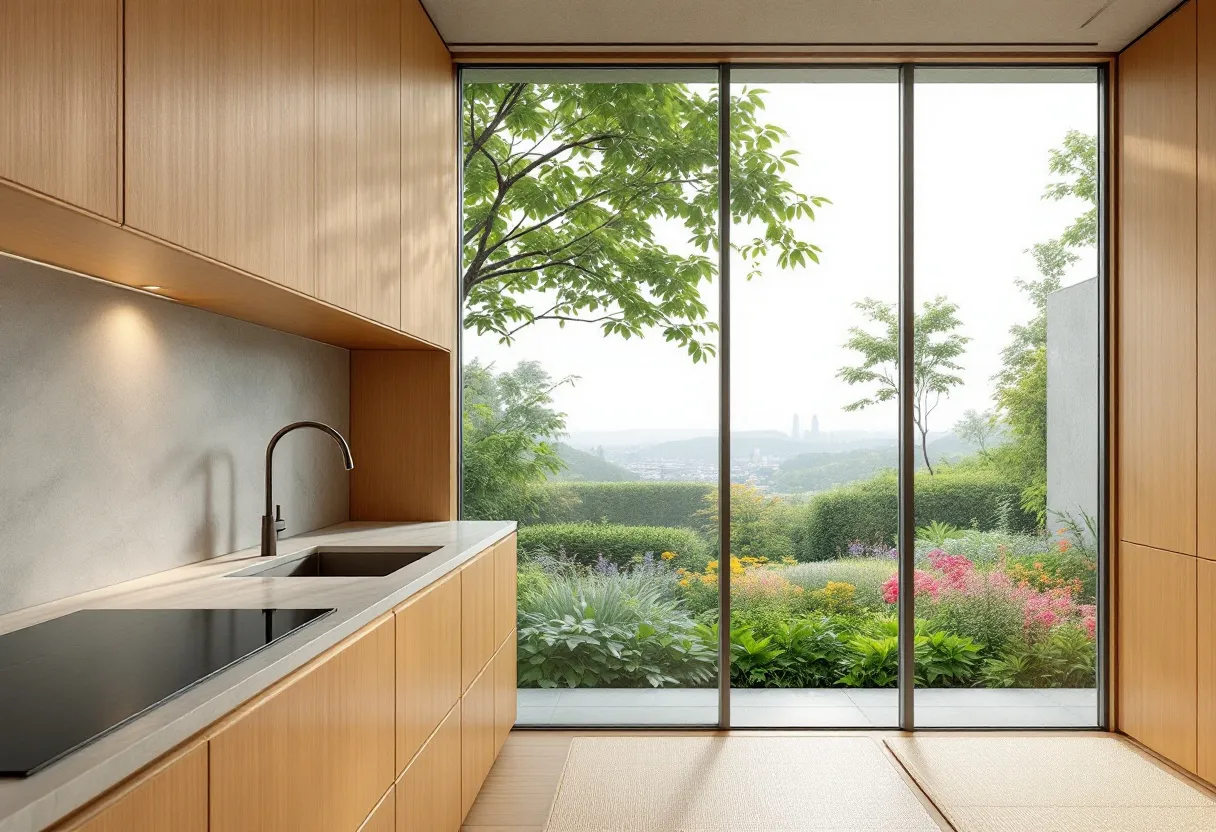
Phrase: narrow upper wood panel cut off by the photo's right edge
(1206, 136)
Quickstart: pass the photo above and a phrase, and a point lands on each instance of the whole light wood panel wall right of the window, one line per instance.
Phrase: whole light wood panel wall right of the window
(1166, 670)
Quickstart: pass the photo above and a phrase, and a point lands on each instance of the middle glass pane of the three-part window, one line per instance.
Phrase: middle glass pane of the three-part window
(814, 414)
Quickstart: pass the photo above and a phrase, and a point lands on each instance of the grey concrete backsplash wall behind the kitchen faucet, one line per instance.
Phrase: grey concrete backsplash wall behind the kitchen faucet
(133, 434)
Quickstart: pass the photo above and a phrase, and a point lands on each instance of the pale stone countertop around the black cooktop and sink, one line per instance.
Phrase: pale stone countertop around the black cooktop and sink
(40, 801)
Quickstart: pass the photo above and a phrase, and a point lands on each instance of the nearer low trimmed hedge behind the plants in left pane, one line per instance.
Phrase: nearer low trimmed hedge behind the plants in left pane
(620, 544)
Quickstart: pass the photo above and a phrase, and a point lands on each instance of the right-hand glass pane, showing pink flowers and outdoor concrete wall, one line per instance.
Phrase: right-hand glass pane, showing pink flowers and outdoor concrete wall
(1007, 397)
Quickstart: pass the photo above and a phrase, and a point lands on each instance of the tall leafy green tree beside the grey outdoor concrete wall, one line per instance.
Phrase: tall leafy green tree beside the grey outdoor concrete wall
(1022, 383)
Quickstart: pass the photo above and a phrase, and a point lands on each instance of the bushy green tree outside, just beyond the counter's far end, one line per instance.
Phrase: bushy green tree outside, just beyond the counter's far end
(509, 432)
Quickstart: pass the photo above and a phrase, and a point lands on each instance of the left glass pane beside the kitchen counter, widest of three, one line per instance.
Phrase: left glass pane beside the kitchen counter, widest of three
(592, 381)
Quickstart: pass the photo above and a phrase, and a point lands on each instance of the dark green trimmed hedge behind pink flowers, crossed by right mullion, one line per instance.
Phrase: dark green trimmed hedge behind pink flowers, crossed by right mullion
(869, 511)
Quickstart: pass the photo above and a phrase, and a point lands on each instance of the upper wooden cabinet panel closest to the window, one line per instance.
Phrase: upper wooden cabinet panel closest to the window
(429, 182)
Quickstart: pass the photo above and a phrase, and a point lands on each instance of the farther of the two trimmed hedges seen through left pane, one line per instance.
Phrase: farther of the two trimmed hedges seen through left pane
(630, 504)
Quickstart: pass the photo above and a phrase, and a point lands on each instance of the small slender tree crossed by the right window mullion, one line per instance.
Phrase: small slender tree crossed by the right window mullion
(937, 347)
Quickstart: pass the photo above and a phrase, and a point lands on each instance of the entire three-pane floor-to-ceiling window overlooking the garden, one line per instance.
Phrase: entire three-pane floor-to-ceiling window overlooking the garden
(594, 387)
